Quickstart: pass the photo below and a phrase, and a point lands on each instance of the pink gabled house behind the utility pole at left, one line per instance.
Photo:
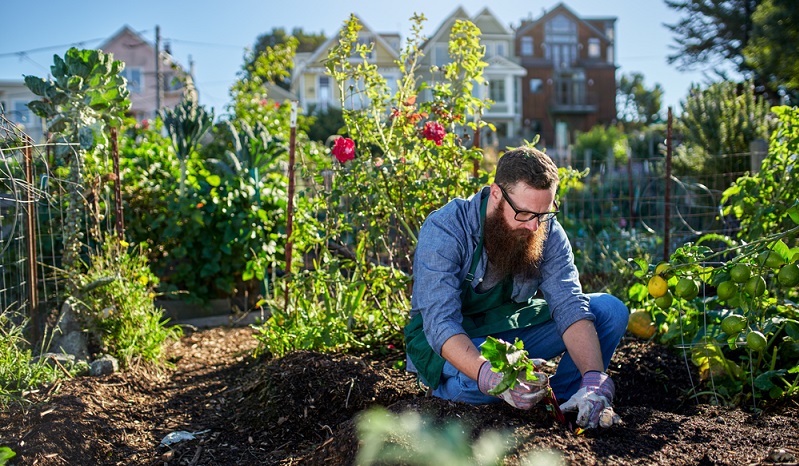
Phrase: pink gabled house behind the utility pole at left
(150, 91)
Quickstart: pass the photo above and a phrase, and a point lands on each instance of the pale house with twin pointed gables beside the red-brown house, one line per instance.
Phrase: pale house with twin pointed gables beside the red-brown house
(503, 73)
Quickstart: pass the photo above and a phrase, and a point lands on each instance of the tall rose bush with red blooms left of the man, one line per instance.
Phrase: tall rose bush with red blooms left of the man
(360, 231)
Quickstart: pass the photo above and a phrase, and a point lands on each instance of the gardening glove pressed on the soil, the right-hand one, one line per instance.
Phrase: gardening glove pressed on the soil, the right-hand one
(593, 401)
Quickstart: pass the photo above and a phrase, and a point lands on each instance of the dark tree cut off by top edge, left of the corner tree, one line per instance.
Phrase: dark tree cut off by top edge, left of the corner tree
(712, 32)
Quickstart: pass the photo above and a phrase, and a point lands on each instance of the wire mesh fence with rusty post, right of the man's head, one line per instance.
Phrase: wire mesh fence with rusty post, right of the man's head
(625, 209)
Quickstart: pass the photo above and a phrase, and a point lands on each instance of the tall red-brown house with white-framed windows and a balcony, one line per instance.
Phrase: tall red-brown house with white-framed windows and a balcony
(570, 84)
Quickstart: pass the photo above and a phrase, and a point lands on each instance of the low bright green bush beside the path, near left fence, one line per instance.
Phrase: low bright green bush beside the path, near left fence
(116, 303)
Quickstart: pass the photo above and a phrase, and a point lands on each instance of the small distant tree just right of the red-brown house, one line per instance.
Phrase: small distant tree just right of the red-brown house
(638, 106)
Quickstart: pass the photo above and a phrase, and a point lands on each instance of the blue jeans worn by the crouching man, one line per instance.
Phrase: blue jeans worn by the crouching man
(543, 341)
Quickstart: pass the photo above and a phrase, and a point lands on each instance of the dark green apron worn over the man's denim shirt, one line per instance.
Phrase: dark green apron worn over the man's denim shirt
(484, 314)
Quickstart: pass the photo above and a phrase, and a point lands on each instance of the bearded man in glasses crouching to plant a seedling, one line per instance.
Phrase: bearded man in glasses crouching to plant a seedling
(478, 267)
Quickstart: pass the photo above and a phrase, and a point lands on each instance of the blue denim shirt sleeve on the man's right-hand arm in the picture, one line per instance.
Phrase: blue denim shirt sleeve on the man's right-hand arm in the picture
(560, 281)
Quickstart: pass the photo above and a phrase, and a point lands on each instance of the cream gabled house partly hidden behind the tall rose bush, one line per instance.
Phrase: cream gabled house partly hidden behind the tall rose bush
(316, 89)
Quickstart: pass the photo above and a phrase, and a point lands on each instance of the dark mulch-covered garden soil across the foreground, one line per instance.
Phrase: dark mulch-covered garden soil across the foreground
(302, 409)
